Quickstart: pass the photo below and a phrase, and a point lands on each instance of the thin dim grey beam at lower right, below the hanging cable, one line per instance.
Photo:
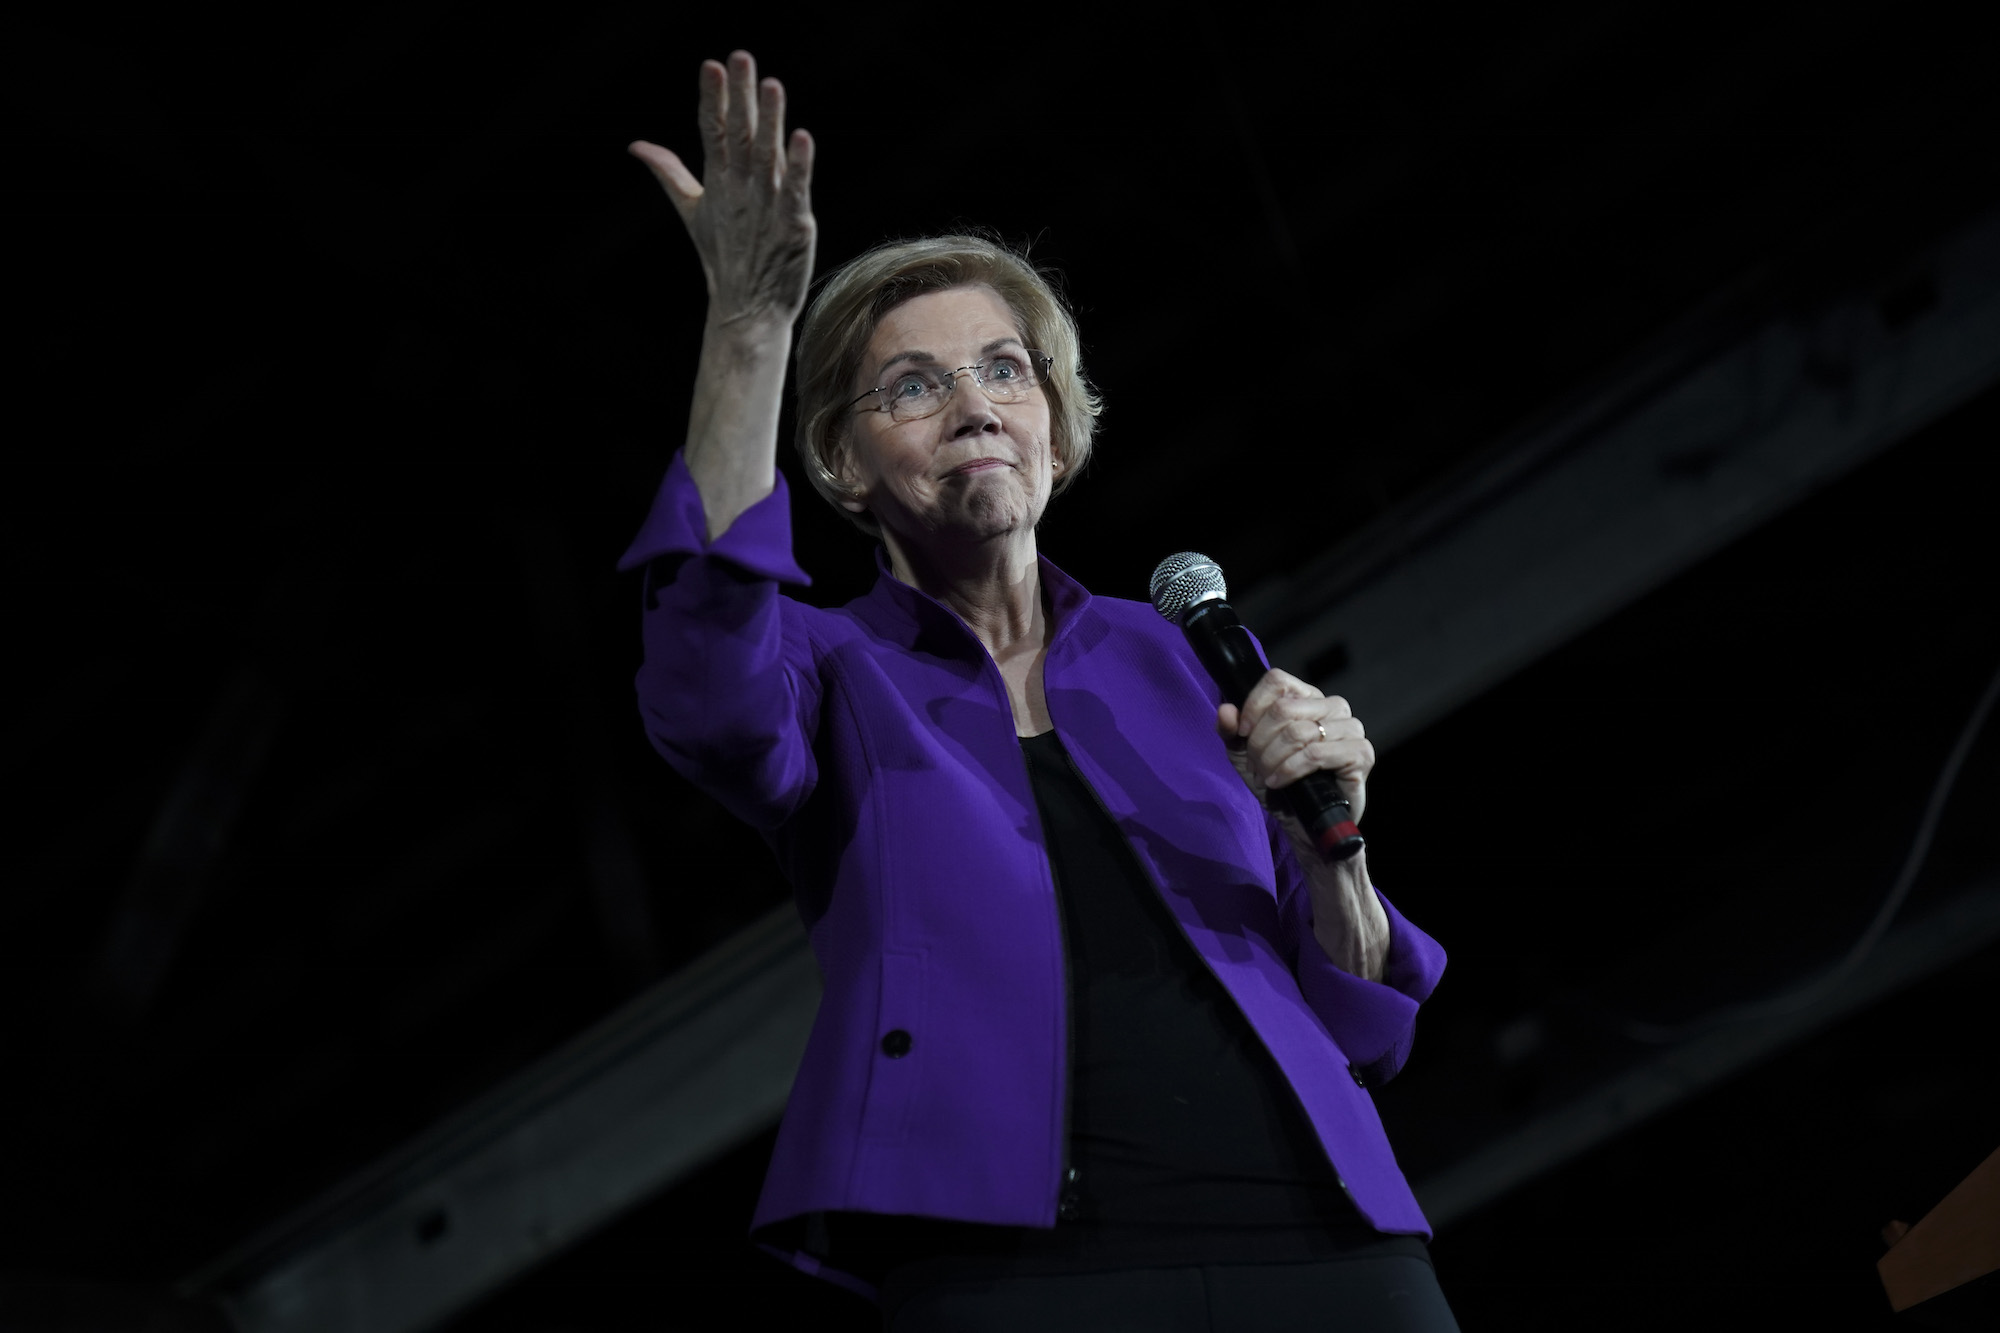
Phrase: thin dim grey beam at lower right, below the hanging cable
(1907, 956)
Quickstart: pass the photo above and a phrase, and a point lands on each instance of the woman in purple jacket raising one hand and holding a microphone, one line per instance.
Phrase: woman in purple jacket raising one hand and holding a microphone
(1097, 1028)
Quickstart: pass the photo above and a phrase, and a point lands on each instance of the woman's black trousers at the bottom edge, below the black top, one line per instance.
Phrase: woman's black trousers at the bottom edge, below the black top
(1395, 1294)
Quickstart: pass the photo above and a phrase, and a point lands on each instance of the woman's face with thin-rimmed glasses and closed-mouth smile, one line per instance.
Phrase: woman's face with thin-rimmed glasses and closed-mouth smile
(977, 469)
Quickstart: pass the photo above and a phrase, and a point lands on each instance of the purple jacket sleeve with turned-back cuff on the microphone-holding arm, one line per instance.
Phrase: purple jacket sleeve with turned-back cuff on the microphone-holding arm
(1371, 1022)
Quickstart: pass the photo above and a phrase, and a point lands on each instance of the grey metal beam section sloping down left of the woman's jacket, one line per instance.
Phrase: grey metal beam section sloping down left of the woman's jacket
(677, 1078)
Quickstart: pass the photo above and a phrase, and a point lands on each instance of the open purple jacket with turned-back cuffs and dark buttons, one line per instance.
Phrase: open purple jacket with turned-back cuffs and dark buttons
(875, 752)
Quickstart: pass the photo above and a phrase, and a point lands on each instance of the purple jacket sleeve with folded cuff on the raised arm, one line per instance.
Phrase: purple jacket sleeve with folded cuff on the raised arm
(729, 688)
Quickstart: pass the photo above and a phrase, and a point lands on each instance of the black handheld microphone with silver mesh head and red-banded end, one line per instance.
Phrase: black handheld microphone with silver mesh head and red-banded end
(1189, 591)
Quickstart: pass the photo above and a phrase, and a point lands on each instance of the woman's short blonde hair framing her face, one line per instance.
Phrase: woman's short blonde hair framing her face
(855, 299)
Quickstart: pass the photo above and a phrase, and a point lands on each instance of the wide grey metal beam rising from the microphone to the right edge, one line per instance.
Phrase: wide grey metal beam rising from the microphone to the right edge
(1565, 525)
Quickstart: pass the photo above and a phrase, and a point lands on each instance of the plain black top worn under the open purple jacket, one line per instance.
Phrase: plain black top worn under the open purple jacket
(1187, 1144)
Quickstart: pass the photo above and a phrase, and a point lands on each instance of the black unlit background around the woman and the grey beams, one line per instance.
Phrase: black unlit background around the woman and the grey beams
(349, 357)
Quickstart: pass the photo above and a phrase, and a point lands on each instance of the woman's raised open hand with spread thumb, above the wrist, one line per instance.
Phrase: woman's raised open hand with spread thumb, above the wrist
(751, 213)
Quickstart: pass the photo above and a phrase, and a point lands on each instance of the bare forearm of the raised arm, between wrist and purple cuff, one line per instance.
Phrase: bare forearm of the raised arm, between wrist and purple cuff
(733, 425)
